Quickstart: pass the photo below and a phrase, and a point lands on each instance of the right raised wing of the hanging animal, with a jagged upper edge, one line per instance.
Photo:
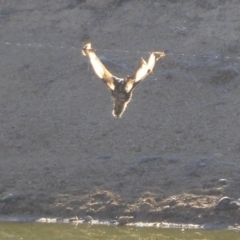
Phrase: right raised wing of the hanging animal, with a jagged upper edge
(143, 70)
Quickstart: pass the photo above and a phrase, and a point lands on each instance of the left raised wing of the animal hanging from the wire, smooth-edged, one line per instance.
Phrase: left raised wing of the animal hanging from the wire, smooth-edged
(98, 67)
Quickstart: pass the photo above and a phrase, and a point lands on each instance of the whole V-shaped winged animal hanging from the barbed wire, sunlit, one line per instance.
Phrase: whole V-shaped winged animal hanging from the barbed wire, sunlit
(121, 88)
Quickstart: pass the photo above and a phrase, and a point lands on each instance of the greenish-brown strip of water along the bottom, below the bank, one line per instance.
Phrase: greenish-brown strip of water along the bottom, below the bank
(37, 231)
